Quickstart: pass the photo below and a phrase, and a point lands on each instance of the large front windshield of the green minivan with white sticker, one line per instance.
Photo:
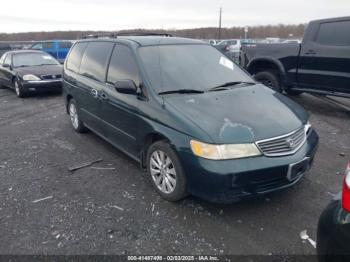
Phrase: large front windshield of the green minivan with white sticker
(190, 67)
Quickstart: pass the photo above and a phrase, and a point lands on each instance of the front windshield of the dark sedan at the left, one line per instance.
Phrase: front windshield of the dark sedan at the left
(33, 59)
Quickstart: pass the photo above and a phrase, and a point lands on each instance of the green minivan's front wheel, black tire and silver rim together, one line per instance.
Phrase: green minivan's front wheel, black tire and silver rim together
(165, 172)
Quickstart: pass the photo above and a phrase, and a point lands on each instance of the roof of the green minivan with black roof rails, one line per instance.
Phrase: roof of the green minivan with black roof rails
(148, 40)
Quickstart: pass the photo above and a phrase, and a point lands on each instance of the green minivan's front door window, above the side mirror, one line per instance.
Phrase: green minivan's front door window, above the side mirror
(123, 66)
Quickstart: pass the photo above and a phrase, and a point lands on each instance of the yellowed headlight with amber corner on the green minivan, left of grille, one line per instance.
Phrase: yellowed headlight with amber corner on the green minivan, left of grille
(222, 152)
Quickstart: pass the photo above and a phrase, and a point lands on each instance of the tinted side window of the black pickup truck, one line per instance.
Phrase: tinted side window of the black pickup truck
(334, 33)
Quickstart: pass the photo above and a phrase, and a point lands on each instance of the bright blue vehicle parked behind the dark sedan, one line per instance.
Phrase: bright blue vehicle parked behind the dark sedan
(56, 48)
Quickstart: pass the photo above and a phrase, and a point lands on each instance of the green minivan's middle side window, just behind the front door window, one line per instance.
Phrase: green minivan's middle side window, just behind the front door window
(95, 60)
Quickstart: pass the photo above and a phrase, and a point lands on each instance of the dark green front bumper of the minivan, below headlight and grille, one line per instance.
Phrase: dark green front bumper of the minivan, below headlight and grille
(232, 180)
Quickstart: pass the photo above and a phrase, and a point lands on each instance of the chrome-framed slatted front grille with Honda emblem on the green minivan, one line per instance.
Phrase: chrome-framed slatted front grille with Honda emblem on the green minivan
(284, 145)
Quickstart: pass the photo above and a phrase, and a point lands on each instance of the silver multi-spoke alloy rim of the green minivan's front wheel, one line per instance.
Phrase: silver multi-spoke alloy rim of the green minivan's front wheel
(163, 172)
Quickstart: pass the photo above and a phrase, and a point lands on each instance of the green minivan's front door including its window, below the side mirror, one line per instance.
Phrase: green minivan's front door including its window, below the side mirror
(120, 111)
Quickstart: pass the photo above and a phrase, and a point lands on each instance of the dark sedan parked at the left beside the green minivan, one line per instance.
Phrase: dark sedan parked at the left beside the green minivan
(29, 71)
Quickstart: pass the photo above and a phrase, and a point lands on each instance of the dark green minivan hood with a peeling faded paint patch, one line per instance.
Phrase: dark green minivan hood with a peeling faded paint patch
(240, 115)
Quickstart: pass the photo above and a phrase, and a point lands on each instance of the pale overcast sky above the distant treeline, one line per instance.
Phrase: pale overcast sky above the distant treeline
(51, 15)
